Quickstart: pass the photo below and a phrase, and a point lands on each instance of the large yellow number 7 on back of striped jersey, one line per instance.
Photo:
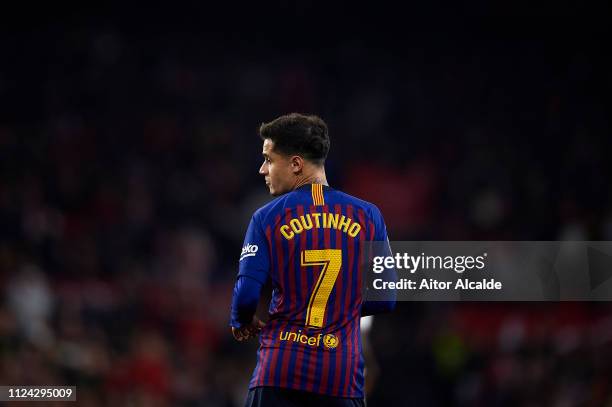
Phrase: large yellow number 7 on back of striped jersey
(331, 260)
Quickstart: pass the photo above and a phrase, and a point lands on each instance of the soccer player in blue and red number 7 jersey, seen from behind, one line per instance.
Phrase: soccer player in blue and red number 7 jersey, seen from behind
(309, 242)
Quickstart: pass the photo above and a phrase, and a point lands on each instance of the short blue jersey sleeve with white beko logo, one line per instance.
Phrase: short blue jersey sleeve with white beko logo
(254, 258)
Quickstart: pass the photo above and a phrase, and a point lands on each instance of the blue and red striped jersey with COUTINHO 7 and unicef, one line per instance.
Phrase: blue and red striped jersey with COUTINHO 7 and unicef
(310, 244)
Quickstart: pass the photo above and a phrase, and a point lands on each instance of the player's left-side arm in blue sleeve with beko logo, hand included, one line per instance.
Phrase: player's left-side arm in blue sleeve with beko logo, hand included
(253, 273)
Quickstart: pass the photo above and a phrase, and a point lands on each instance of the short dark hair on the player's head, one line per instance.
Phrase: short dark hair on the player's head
(298, 134)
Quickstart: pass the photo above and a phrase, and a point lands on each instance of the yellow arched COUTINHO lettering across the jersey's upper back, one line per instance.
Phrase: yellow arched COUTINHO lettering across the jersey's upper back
(320, 220)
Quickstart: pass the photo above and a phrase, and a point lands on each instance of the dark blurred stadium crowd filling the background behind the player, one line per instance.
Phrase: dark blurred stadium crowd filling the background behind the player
(128, 164)
